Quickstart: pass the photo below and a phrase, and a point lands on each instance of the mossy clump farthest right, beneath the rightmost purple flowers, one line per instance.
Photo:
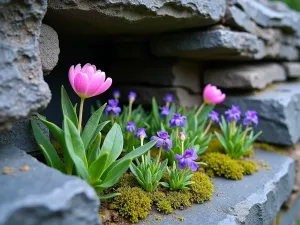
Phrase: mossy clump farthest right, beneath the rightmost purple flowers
(222, 165)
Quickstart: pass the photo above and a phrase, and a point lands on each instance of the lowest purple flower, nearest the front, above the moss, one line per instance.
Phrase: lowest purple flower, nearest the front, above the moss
(187, 159)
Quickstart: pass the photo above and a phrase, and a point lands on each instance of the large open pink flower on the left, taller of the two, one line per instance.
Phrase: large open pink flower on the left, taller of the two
(88, 81)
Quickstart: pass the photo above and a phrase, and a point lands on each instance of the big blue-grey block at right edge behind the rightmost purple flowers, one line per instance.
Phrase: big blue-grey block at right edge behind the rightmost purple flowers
(278, 110)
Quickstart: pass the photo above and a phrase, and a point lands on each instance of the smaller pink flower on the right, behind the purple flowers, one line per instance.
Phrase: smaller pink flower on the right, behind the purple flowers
(212, 95)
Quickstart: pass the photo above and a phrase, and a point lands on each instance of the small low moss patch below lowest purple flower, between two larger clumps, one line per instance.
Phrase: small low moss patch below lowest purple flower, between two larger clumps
(179, 199)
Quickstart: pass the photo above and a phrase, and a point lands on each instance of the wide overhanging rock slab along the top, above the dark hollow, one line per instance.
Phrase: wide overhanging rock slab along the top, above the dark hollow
(135, 16)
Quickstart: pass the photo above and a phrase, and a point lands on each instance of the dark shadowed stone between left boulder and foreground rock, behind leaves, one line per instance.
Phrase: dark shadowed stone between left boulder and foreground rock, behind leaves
(21, 135)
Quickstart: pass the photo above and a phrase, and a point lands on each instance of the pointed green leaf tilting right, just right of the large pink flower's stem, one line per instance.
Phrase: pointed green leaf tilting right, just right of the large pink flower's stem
(91, 127)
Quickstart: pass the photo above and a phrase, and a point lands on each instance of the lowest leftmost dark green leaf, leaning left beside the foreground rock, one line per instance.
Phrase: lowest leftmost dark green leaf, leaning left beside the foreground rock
(47, 147)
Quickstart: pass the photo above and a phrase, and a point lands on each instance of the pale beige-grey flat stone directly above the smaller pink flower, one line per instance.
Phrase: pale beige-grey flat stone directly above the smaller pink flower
(252, 76)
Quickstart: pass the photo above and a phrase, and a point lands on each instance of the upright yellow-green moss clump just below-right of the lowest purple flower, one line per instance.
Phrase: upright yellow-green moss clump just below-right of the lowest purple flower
(202, 189)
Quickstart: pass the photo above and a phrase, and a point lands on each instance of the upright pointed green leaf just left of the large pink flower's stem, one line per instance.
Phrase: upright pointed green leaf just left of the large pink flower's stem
(67, 107)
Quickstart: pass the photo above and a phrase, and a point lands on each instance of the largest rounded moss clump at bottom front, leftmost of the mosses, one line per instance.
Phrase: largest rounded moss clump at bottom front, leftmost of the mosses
(133, 203)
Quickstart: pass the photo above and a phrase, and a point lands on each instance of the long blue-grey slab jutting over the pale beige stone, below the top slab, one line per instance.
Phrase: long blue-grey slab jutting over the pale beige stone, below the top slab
(213, 44)
